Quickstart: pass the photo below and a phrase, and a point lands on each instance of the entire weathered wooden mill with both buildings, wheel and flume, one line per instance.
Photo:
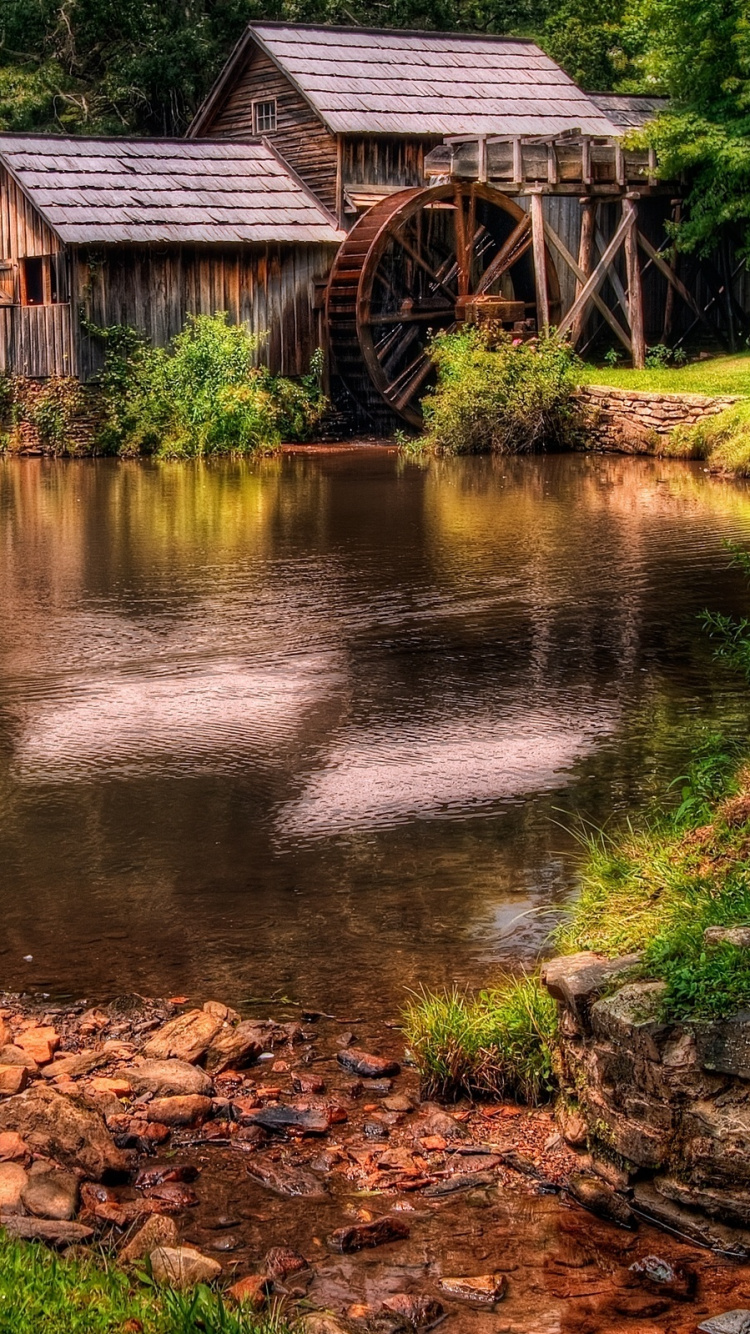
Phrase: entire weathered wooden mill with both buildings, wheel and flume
(454, 177)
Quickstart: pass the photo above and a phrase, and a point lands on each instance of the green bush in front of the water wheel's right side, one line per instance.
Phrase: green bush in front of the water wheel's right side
(497, 394)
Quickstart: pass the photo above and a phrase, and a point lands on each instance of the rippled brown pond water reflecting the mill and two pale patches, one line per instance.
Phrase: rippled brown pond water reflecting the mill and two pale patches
(325, 724)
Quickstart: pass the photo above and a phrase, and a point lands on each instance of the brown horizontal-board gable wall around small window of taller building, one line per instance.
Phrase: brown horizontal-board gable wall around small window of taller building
(301, 137)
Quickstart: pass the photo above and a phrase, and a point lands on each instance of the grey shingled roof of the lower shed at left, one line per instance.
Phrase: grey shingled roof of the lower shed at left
(165, 190)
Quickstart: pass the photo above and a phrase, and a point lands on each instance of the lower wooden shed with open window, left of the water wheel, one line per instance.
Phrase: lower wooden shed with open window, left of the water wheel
(145, 233)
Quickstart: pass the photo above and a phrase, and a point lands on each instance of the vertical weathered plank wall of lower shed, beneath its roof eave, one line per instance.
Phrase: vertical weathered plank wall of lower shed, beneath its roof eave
(273, 289)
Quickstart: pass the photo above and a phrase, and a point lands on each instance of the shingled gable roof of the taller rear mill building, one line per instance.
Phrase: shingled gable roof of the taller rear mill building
(394, 82)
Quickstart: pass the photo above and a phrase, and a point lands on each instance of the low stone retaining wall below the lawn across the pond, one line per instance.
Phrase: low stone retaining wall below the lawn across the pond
(637, 422)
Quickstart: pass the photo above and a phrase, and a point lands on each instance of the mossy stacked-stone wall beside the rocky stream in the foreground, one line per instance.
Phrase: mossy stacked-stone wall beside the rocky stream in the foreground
(664, 1109)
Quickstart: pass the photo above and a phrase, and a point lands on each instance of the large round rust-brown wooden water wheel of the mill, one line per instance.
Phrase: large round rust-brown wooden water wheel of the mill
(420, 262)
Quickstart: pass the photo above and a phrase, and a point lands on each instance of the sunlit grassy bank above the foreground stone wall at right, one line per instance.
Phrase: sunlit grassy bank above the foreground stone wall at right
(659, 889)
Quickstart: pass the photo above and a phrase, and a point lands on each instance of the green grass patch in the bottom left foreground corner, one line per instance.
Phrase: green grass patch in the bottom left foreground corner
(42, 1293)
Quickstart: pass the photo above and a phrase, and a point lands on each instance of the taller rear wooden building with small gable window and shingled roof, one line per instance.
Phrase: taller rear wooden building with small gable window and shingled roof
(356, 110)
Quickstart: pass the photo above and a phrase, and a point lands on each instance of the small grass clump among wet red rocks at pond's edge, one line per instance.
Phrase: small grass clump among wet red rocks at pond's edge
(497, 1043)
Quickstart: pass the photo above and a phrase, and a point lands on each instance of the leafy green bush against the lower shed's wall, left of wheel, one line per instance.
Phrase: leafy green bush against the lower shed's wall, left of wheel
(204, 396)
